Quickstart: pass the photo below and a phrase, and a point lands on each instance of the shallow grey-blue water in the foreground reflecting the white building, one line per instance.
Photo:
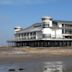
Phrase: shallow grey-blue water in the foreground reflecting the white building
(48, 64)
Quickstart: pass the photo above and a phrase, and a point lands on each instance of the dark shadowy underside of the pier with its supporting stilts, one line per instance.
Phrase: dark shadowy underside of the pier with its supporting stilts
(42, 43)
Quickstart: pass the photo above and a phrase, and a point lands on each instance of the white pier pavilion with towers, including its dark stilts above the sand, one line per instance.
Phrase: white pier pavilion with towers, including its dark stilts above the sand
(47, 33)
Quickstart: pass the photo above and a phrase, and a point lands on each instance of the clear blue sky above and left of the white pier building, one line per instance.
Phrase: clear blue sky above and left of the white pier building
(26, 12)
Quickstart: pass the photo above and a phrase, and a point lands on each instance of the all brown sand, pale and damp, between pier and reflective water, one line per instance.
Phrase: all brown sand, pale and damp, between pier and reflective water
(28, 54)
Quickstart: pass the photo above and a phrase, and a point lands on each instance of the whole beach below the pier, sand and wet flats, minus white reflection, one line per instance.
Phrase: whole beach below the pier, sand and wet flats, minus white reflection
(32, 59)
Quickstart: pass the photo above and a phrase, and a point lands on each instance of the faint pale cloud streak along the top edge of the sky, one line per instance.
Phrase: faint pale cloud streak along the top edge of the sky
(21, 2)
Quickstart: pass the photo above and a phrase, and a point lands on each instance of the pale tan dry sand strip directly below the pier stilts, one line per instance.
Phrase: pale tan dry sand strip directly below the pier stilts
(14, 51)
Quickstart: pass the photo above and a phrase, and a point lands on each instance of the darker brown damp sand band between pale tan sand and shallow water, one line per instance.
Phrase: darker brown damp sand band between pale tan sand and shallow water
(22, 58)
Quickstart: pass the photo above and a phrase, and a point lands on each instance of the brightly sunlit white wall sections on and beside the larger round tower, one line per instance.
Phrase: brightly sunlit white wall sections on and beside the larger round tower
(55, 33)
